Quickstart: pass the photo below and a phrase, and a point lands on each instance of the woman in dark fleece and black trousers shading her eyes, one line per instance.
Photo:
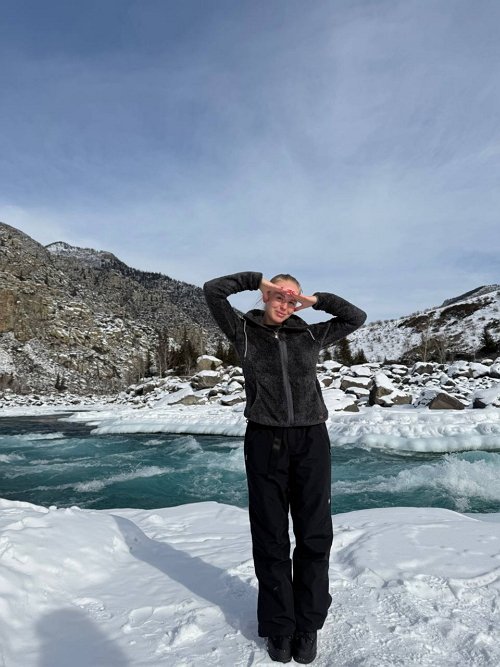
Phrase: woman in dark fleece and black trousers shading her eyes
(287, 450)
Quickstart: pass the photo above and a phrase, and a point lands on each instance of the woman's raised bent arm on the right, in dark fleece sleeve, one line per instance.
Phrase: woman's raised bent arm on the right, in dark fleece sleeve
(347, 318)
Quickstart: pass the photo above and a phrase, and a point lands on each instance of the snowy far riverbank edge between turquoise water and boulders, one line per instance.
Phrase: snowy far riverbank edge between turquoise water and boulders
(400, 428)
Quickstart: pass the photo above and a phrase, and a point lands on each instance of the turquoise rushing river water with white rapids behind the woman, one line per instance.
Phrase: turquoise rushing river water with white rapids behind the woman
(46, 461)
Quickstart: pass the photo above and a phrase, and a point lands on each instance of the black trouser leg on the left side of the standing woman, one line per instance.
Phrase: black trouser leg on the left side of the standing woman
(268, 508)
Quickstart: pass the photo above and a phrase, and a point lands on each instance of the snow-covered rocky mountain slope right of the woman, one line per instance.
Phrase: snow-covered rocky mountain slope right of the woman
(462, 327)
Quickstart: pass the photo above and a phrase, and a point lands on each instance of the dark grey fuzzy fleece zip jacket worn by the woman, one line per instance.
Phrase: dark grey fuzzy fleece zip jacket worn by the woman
(279, 364)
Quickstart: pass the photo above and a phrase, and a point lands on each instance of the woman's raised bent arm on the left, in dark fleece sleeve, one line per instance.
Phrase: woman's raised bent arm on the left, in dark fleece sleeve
(216, 293)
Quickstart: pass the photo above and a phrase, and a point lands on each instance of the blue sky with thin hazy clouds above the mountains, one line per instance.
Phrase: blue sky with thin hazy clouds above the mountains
(354, 144)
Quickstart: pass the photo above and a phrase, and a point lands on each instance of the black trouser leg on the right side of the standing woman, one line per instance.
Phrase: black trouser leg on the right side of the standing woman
(310, 494)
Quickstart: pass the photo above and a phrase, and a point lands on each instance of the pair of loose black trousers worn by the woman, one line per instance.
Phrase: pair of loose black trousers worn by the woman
(289, 469)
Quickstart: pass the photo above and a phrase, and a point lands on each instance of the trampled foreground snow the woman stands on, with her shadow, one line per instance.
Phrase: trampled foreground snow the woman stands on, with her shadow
(176, 586)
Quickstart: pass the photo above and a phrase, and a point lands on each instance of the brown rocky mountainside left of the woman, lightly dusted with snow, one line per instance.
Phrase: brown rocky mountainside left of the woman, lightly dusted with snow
(82, 319)
